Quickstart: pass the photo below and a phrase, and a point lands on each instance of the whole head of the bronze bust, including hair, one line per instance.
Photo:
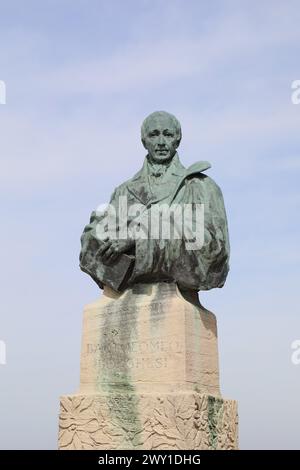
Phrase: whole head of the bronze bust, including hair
(161, 135)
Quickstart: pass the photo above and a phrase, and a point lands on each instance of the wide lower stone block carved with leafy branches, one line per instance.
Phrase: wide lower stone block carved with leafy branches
(183, 420)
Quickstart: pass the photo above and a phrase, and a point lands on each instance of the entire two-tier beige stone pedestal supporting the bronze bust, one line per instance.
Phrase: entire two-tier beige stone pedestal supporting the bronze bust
(149, 376)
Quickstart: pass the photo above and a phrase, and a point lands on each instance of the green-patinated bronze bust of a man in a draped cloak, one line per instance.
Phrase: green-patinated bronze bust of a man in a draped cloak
(141, 244)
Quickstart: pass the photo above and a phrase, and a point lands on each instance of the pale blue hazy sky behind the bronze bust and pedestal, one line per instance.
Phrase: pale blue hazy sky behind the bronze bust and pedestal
(80, 77)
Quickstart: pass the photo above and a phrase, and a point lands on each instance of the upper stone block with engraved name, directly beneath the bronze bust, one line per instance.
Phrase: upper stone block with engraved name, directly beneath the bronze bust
(149, 337)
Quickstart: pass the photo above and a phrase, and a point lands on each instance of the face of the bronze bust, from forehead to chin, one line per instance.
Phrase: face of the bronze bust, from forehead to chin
(161, 139)
